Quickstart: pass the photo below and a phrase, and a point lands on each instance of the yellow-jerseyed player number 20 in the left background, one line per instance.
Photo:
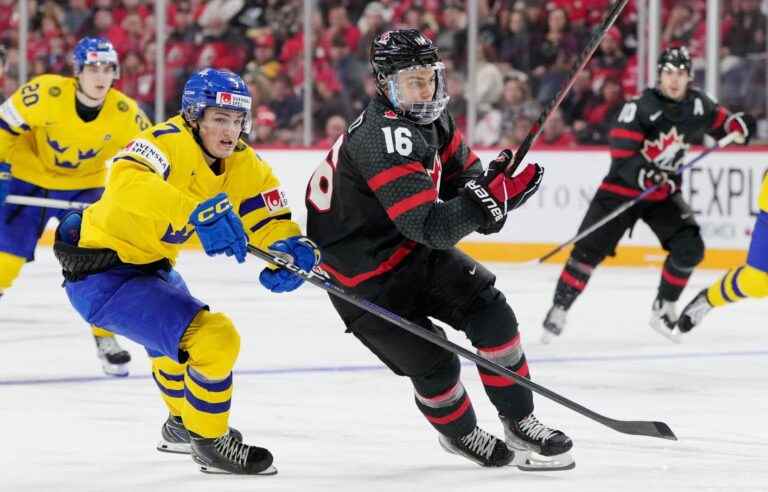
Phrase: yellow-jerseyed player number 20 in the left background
(56, 135)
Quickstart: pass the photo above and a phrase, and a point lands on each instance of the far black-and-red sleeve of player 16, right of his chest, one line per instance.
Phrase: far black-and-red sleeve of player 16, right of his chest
(460, 164)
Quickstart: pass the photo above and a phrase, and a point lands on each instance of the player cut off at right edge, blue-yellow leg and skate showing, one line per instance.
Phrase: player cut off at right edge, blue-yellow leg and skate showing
(748, 280)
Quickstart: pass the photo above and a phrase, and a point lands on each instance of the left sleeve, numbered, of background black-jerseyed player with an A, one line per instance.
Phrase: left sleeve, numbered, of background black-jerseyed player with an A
(626, 141)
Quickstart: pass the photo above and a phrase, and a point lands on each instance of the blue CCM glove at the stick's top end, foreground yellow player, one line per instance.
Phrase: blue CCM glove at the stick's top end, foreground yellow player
(219, 228)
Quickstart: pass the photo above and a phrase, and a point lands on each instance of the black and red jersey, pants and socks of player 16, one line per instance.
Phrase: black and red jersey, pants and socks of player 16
(386, 208)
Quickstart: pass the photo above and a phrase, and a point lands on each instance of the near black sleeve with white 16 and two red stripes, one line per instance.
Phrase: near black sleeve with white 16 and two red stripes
(391, 159)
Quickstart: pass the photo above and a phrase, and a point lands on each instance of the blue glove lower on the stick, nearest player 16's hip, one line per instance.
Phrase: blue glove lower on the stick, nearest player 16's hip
(305, 254)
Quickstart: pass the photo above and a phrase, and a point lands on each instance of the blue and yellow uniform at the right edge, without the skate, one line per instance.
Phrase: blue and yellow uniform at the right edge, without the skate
(750, 279)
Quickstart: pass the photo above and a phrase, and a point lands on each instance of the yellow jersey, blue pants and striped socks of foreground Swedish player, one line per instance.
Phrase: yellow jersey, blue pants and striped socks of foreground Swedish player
(154, 184)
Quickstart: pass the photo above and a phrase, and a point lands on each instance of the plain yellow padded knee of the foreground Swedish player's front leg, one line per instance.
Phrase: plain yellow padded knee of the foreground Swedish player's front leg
(212, 343)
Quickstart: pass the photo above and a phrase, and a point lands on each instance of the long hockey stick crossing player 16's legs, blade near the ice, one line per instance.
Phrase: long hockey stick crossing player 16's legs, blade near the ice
(635, 427)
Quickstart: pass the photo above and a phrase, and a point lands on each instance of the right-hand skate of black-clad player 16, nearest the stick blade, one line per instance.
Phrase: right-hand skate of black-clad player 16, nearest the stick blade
(548, 449)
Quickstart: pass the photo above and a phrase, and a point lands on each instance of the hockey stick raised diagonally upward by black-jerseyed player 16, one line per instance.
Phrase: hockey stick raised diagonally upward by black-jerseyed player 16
(581, 62)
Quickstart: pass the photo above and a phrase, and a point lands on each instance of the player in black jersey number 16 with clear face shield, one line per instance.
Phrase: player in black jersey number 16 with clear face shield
(395, 194)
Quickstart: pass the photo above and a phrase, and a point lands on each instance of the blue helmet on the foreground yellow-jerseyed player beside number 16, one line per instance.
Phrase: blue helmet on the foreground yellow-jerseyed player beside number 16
(216, 88)
